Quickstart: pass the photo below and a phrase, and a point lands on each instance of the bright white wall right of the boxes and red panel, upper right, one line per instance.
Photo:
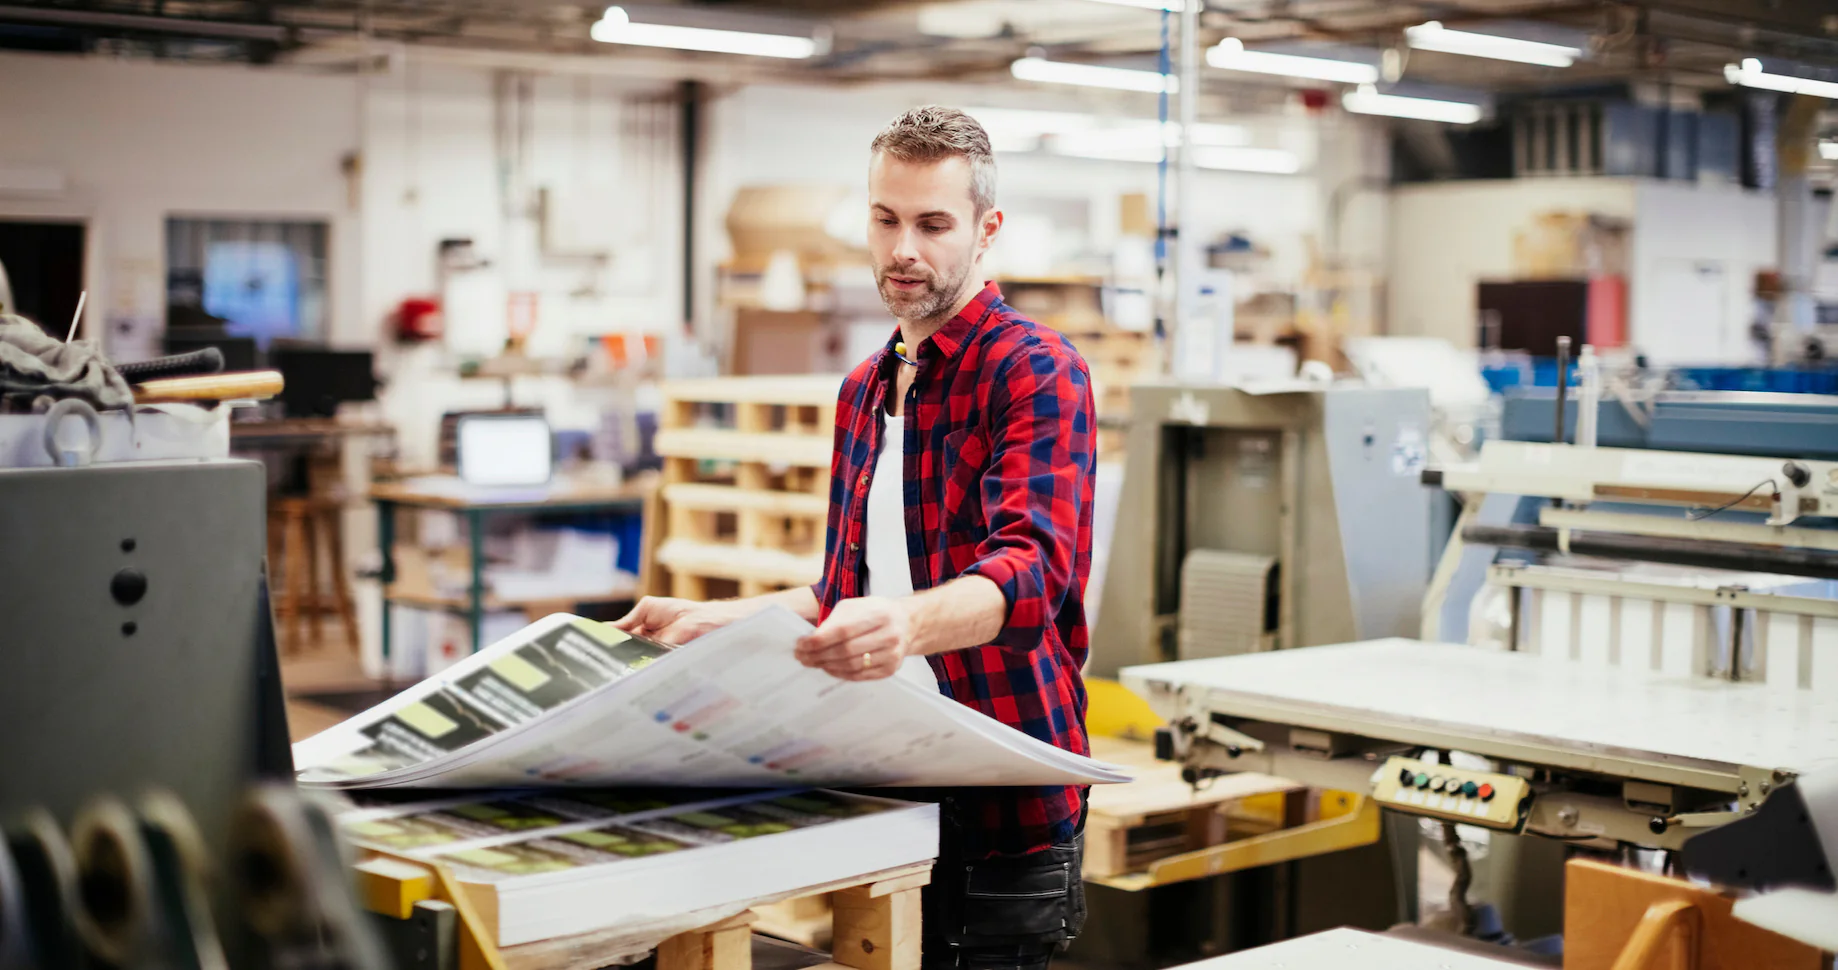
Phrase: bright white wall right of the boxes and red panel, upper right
(1696, 254)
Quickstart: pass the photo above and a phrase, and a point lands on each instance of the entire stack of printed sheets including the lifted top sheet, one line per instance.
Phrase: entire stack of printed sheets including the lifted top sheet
(567, 708)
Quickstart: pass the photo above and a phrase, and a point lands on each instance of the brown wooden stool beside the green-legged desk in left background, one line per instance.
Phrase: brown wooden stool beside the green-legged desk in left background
(299, 532)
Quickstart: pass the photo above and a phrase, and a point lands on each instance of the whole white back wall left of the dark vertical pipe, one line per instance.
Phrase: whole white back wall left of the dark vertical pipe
(139, 142)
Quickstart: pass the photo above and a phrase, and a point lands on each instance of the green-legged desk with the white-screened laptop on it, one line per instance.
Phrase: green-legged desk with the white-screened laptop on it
(449, 493)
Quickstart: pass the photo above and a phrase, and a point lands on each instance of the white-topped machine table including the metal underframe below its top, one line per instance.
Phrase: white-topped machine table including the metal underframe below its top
(1725, 739)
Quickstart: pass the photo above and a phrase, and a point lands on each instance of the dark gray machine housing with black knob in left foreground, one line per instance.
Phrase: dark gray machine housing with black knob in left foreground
(137, 648)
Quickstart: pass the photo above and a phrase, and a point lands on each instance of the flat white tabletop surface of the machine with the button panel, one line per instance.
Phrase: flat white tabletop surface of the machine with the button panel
(1504, 705)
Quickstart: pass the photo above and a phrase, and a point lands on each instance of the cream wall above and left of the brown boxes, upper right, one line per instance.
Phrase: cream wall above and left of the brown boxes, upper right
(1449, 236)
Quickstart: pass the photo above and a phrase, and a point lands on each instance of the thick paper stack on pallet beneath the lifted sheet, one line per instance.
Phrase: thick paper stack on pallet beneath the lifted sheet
(545, 866)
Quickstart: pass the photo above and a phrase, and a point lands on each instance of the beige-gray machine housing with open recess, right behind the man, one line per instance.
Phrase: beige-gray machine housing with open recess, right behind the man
(1322, 480)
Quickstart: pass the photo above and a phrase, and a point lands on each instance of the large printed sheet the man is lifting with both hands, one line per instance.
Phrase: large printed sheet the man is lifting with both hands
(571, 703)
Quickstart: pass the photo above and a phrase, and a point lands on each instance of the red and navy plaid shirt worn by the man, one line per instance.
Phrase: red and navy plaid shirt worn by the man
(1001, 440)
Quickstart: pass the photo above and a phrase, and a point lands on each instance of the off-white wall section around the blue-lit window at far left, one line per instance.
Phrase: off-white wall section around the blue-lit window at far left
(139, 142)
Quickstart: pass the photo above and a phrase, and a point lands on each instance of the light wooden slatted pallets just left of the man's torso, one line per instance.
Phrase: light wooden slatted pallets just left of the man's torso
(745, 488)
